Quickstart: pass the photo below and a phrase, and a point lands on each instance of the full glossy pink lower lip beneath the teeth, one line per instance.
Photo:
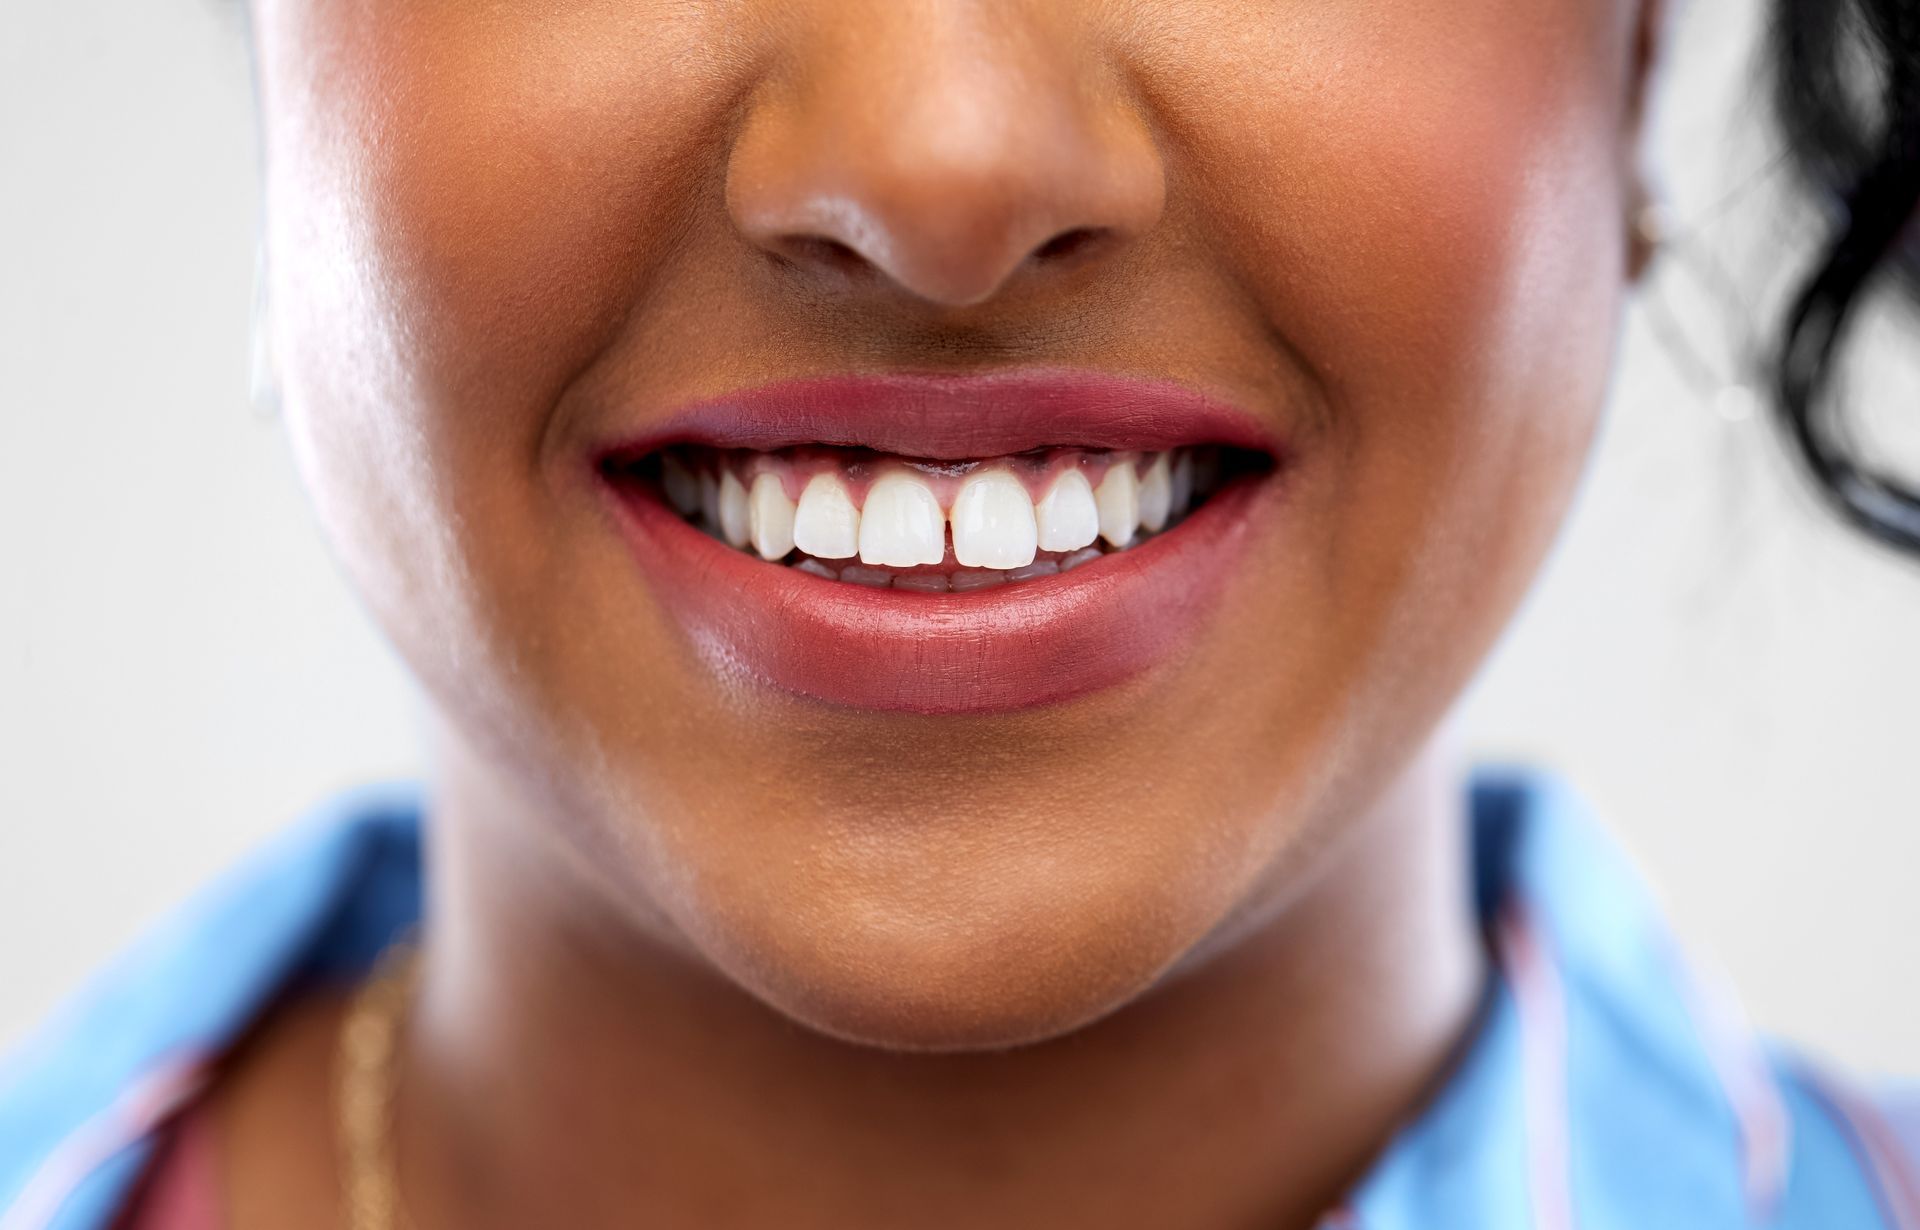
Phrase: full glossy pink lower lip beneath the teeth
(1011, 648)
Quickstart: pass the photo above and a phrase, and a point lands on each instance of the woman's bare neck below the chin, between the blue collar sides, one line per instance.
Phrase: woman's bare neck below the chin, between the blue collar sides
(565, 1072)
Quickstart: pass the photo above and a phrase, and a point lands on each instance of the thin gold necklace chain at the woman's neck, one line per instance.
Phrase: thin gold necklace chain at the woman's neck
(366, 1079)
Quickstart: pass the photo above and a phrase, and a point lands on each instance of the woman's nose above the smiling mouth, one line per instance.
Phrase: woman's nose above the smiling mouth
(946, 153)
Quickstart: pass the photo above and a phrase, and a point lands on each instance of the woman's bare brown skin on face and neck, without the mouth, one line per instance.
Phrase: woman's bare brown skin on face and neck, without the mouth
(702, 955)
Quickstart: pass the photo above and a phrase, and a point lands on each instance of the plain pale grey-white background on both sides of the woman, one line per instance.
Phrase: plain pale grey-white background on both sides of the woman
(1727, 676)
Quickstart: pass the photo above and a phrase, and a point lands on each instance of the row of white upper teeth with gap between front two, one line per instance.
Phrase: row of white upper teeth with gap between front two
(905, 513)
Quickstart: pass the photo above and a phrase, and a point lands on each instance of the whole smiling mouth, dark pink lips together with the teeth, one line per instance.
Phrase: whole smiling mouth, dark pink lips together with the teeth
(923, 636)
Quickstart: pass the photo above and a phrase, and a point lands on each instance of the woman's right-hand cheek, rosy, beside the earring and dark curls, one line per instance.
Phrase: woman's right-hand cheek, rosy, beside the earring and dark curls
(1431, 210)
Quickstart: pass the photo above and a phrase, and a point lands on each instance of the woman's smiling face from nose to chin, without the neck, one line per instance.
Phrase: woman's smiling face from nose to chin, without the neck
(512, 245)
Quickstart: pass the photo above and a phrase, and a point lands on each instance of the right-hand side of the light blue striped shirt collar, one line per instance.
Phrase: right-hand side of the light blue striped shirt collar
(1606, 1085)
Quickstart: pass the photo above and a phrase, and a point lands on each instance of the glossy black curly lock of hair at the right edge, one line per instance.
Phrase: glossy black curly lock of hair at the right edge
(1848, 101)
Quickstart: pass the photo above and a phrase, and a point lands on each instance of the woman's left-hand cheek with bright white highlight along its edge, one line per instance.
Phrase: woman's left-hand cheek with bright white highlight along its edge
(466, 212)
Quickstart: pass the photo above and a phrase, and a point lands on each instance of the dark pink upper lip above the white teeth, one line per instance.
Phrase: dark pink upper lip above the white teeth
(957, 417)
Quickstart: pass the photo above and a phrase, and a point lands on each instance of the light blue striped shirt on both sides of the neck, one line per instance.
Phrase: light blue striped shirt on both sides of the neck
(1606, 1087)
